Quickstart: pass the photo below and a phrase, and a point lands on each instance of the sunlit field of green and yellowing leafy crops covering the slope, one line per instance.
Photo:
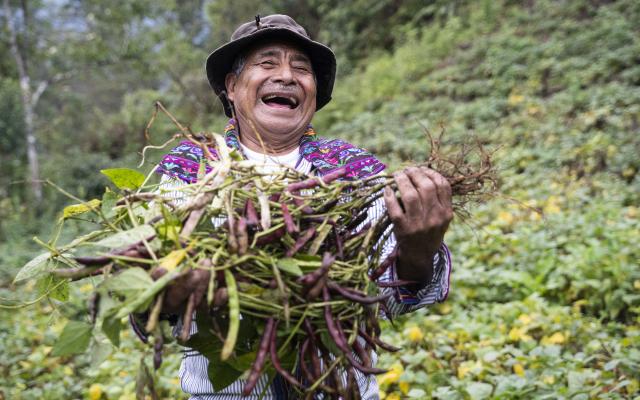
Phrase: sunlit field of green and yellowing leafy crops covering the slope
(545, 293)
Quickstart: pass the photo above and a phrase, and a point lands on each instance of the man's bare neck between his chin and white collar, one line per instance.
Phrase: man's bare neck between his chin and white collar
(267, 143)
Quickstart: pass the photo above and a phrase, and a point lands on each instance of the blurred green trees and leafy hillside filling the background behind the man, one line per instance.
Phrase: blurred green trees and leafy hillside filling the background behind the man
(543, 305)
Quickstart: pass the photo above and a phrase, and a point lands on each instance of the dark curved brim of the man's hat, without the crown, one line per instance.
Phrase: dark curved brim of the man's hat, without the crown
(323, 60)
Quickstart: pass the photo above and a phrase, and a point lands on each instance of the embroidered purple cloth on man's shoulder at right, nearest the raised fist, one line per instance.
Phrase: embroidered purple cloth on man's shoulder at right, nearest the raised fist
(329, 154)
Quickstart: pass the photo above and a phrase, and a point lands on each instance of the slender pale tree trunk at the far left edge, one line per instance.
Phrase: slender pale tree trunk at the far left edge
(28, 105)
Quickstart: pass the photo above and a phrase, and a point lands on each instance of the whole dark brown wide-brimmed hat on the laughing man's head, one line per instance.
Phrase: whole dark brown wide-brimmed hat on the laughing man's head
(276, 27)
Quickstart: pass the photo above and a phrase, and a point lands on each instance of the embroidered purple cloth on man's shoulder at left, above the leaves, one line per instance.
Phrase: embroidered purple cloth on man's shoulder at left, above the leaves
(183, 161)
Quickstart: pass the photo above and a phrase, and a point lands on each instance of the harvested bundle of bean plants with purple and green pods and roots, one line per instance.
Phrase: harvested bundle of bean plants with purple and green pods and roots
(284, 260)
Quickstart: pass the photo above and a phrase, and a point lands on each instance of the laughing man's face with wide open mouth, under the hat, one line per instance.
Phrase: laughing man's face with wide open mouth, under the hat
(276, 89)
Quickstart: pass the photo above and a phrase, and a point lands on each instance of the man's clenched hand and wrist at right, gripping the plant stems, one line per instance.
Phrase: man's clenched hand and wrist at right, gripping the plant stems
(420, 220)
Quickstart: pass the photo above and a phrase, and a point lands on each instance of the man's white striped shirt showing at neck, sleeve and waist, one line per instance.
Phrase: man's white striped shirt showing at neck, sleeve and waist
(194, 379)
